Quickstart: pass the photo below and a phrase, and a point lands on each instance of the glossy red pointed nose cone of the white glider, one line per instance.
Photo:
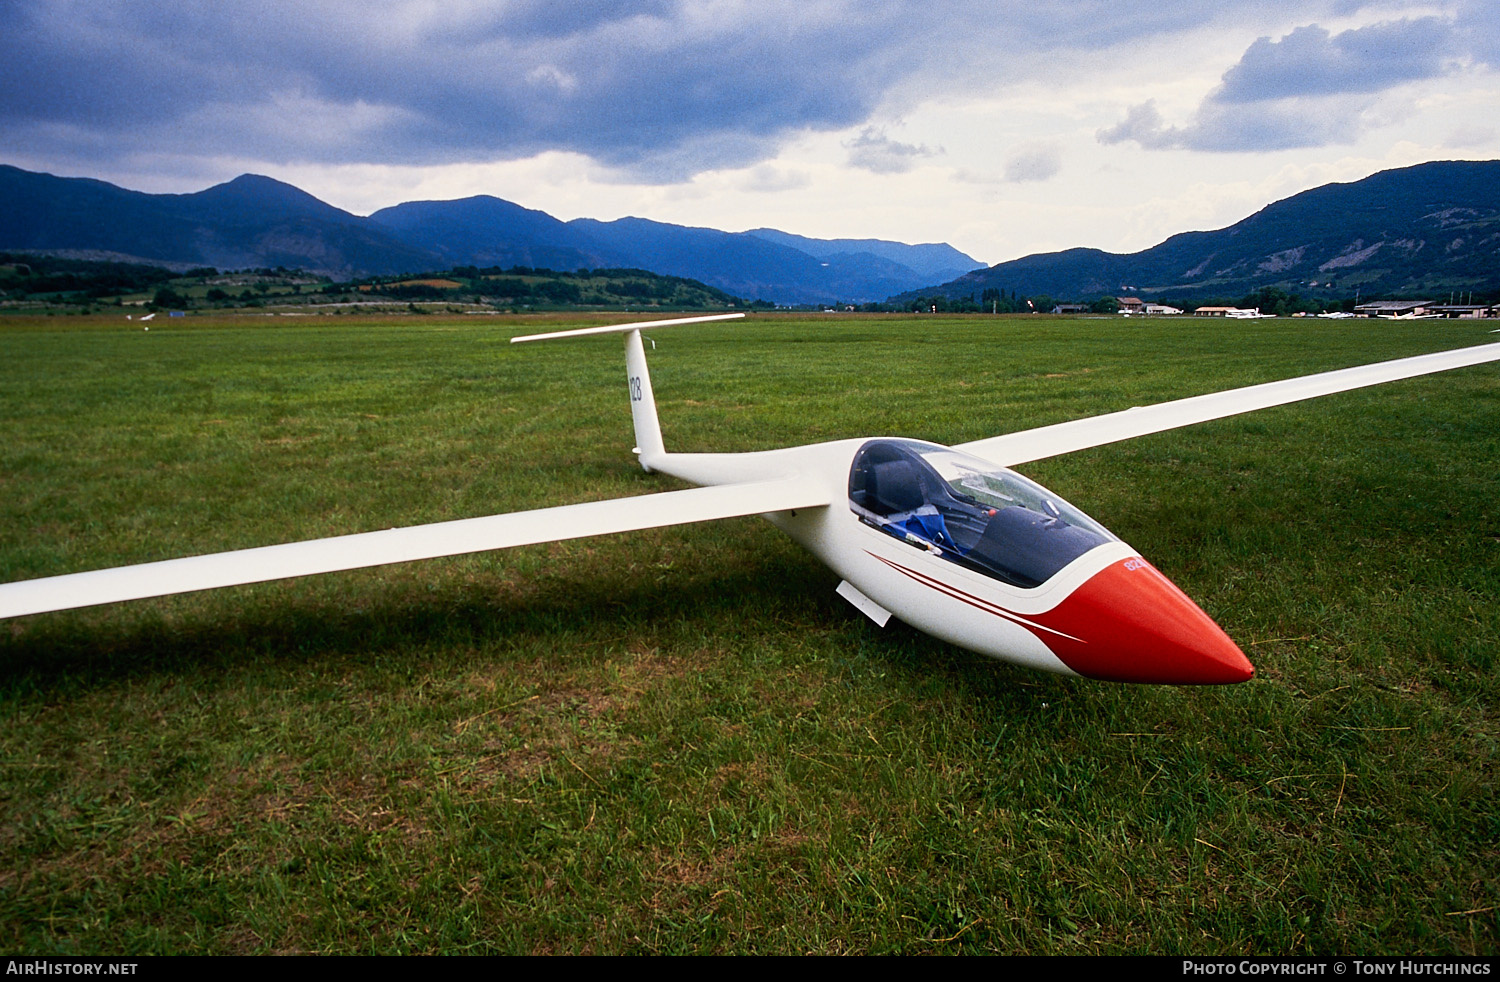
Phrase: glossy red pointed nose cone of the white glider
(1132, 624)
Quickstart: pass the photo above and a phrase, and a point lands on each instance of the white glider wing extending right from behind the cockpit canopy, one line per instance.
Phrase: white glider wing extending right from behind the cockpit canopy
(1051, 442)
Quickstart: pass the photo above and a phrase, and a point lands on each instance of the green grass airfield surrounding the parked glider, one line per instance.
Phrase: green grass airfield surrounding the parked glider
(683, 741)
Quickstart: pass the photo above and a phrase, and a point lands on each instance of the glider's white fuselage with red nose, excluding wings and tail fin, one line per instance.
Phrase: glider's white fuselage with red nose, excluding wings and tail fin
(1105, 614)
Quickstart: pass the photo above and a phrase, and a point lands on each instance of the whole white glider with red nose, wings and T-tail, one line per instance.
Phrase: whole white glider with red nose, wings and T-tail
(946, 539)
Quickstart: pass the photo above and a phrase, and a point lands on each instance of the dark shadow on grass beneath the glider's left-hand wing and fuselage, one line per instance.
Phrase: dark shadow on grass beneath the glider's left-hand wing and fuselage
(770, 597)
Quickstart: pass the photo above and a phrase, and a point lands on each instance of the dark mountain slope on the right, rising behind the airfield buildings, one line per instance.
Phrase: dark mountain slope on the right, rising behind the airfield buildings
(1426, 230)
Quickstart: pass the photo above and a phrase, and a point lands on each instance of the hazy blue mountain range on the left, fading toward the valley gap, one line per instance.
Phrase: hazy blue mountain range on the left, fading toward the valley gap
(260, 223)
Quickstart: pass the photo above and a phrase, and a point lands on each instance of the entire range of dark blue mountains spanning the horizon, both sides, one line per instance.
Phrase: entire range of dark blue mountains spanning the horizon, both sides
(1432, 230)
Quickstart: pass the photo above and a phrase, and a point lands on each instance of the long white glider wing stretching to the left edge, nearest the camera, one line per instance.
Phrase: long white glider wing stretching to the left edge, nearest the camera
(419, 542)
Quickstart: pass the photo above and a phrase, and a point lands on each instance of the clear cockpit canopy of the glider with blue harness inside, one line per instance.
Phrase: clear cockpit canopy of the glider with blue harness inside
(970, 512)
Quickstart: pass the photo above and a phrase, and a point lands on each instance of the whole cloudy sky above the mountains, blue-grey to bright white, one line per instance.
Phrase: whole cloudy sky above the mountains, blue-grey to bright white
(1004, 128)
